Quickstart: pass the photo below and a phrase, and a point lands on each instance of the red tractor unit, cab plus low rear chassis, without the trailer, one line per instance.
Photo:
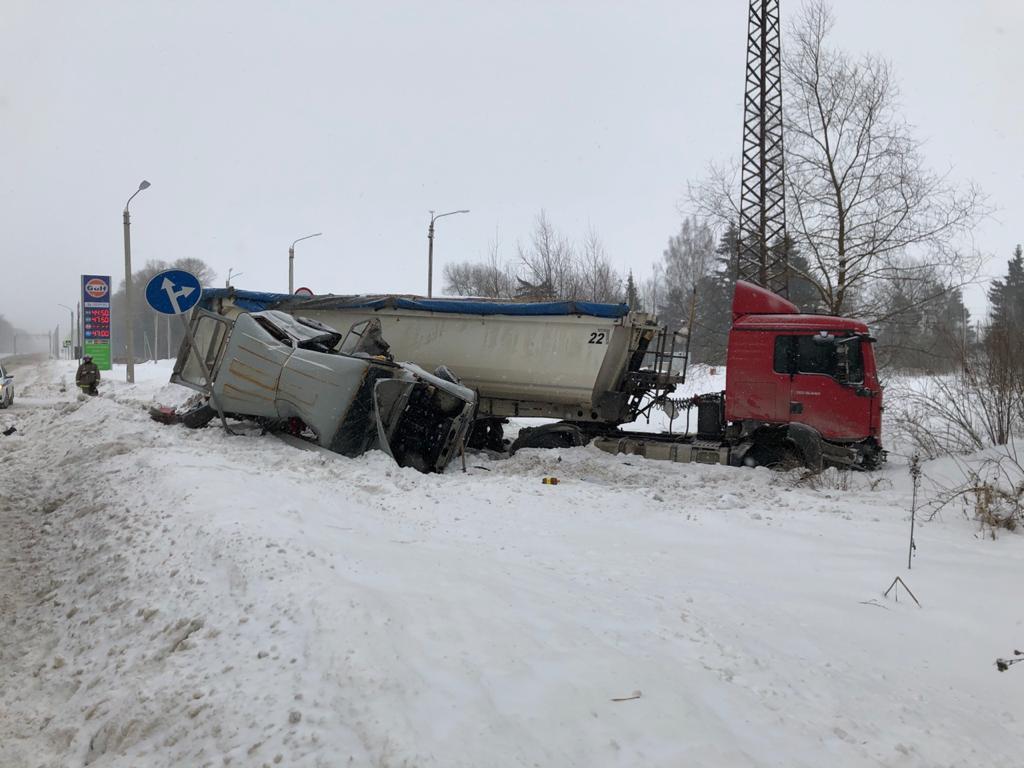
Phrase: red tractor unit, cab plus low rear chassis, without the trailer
(799, 390)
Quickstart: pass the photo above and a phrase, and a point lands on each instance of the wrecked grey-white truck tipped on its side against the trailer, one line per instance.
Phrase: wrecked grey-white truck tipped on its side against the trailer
(296, 375)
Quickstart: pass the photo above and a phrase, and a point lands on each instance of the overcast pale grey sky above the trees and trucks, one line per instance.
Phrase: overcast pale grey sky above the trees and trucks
(260, 122)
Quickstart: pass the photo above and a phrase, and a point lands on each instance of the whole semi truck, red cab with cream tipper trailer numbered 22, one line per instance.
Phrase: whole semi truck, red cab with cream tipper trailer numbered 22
(800, 389)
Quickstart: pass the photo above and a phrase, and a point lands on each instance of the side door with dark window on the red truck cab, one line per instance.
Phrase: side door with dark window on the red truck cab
(827, 385)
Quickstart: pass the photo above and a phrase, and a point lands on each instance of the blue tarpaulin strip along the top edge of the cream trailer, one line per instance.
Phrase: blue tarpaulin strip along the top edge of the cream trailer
(255, 302)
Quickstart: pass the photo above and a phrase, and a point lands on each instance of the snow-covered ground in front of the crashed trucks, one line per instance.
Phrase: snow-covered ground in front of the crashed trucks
(190, 599)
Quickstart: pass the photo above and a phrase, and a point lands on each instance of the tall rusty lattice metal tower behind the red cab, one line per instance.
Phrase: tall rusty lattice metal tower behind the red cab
(762, 257)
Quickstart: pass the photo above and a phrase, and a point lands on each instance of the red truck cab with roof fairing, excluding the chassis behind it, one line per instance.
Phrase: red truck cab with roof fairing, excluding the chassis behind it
(785, 368)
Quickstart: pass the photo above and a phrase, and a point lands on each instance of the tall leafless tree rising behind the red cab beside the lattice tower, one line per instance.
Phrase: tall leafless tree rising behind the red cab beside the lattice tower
(863, 206)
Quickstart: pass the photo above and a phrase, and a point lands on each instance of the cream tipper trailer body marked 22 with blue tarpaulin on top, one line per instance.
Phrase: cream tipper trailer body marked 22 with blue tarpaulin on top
(569, 361)
